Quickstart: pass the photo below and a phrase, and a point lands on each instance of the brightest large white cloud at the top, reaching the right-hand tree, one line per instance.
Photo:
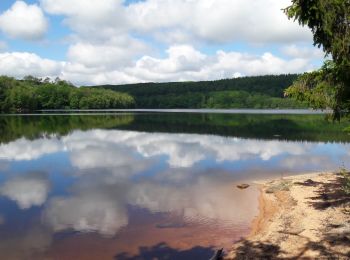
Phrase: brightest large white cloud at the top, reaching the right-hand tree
(219, 20)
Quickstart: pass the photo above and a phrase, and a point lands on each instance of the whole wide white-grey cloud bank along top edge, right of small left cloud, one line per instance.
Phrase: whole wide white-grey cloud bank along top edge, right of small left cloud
(208, 20)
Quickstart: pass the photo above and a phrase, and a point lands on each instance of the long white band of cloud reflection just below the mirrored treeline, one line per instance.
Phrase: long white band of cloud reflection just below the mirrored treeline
(114, 148)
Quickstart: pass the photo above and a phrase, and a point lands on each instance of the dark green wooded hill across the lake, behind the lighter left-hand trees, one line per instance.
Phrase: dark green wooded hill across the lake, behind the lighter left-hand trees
(245, 92)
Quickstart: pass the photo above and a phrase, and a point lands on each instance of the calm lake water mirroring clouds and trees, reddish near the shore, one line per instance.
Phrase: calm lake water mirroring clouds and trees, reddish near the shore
(147, 185)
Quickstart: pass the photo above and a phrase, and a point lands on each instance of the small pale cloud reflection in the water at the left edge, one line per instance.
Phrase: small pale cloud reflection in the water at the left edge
(28, 191)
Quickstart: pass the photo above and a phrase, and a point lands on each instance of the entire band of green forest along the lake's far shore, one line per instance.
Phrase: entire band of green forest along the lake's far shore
(31, 94)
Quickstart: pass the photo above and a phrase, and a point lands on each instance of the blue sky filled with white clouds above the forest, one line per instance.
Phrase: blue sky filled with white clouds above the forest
(128, 41)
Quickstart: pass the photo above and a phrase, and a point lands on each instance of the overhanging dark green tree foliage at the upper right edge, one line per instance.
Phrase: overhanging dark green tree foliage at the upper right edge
(329, 21)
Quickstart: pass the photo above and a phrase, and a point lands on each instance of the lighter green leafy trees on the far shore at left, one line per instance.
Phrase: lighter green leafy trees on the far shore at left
(32, 94)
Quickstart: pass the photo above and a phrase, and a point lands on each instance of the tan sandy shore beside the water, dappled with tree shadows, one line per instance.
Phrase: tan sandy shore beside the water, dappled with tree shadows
(301, 217)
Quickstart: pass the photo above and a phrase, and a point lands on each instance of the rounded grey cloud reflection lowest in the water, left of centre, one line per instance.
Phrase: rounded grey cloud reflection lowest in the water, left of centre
(87, 211)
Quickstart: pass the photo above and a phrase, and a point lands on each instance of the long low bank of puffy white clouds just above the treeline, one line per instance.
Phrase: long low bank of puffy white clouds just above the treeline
(108, 64)
